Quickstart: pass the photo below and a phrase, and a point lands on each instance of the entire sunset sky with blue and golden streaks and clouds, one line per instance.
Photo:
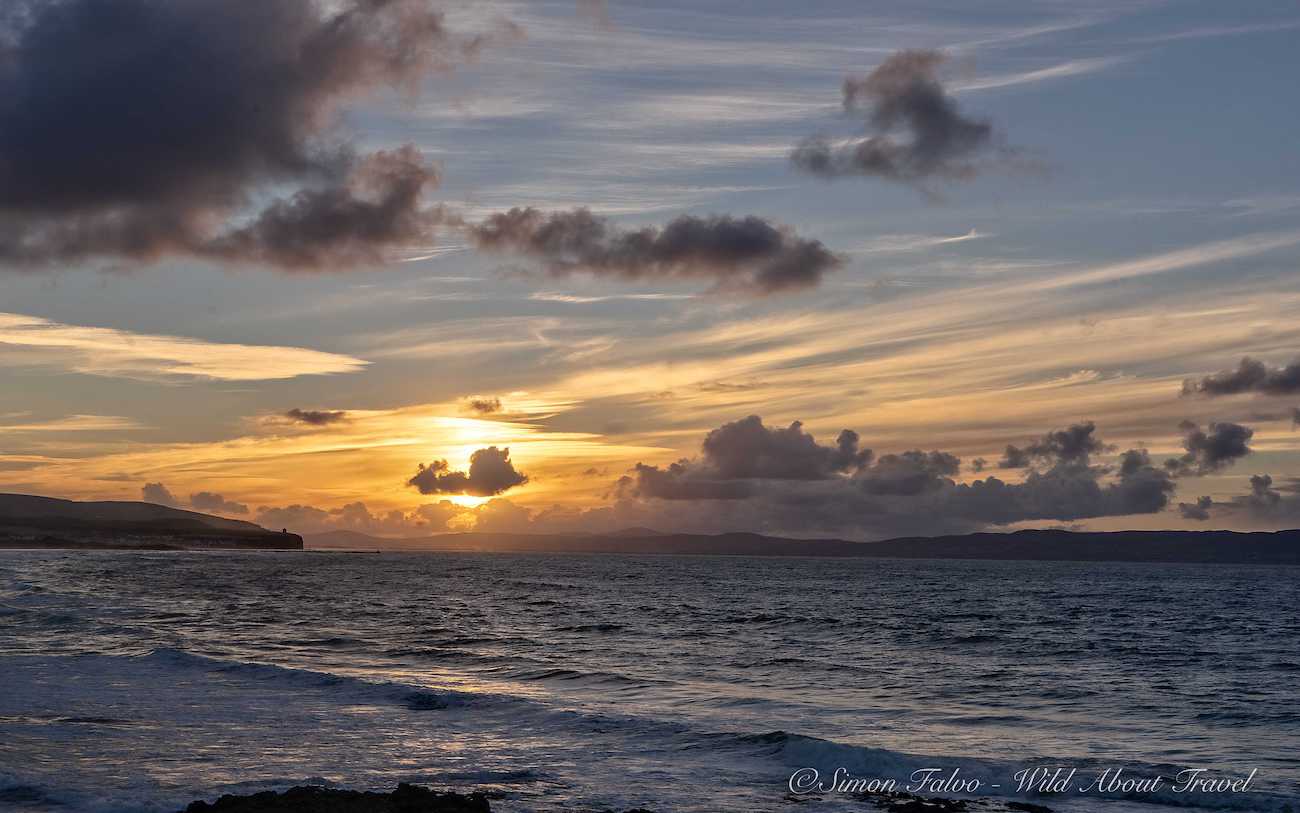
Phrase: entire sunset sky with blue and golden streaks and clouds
(856, 270)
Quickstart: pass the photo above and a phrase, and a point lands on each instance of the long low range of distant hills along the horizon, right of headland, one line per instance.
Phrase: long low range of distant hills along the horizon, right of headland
(1204, 547)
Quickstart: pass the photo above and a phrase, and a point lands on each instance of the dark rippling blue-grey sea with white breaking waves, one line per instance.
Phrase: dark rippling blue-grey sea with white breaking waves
(142, 681)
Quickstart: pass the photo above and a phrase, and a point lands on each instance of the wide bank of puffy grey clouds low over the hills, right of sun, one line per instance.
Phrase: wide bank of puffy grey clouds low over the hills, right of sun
(782, 481)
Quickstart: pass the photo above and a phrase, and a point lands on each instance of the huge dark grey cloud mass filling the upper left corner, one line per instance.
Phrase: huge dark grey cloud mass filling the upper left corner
(148, 128)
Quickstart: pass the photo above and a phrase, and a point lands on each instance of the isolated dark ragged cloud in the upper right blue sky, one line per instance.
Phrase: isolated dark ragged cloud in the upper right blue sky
(903, 96)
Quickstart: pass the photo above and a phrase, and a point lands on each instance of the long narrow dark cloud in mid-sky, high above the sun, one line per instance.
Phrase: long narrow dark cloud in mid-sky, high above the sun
(738, 254)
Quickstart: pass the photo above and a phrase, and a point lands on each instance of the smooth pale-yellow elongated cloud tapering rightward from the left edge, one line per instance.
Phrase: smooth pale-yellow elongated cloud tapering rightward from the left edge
(107, 352)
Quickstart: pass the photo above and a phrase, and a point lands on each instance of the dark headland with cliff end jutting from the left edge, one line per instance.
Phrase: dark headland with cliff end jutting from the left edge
(28, 521)
